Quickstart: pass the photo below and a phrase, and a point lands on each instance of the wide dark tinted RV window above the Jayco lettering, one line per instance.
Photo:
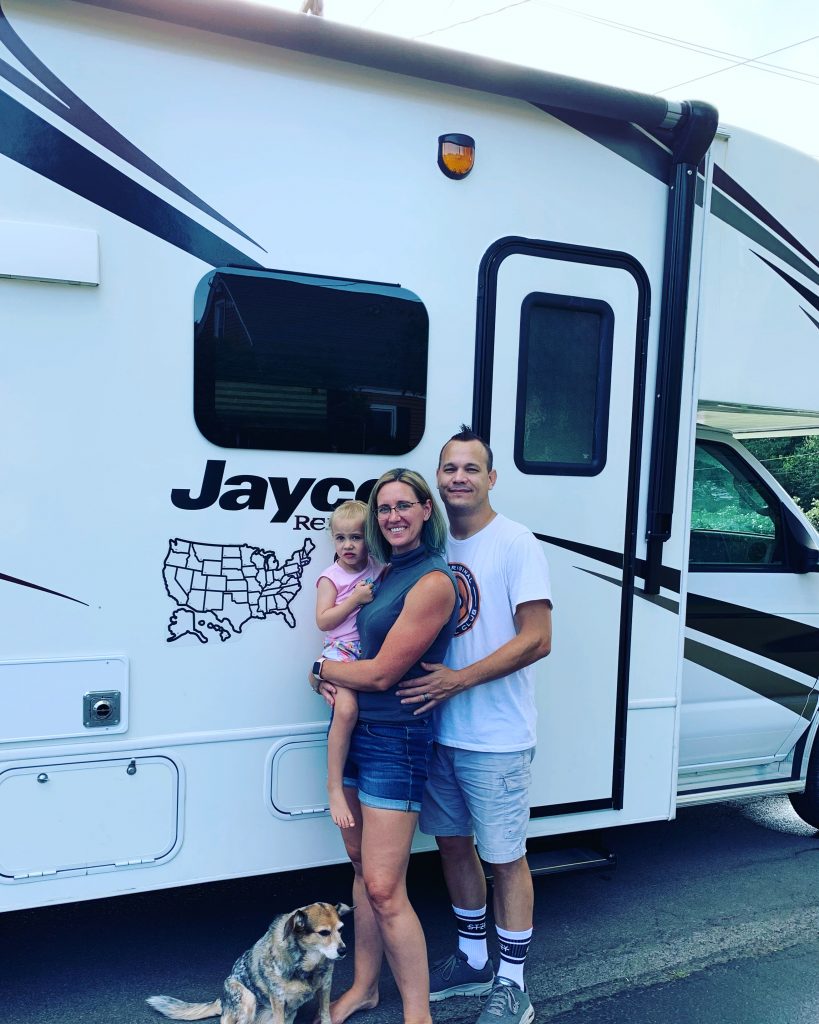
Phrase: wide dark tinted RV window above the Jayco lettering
(306, 364)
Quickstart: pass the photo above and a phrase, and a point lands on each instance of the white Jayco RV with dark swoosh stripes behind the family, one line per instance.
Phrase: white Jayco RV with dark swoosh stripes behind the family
(250, 261)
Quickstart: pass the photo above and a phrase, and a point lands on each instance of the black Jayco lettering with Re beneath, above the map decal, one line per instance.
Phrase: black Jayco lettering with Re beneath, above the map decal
(250, 492)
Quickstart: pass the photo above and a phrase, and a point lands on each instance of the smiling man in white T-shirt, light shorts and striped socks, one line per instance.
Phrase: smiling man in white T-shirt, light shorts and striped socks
(486, 733)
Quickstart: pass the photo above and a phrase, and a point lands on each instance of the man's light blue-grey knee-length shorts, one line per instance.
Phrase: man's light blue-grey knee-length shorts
(486, 795)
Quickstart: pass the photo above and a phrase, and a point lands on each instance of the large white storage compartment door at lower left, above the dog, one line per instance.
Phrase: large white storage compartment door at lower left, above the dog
(84, 816)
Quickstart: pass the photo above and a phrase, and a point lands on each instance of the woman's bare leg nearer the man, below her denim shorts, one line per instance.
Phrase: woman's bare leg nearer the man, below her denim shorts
(386, 840)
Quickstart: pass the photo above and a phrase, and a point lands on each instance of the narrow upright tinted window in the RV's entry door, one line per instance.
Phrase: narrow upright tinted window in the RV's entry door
(565, 378)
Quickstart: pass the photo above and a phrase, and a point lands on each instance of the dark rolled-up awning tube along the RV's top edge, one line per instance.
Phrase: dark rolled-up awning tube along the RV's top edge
(245, 20)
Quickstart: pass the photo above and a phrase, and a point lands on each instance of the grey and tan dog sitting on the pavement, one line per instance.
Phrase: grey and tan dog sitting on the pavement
(291, 964)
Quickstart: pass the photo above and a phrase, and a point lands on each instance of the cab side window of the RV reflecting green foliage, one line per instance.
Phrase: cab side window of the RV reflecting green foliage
(736, 520)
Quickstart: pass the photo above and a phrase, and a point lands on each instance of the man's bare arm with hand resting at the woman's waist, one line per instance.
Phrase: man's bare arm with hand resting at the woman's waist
(534, 642)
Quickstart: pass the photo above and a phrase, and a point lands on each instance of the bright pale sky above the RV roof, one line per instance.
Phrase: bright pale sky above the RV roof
(756, 61)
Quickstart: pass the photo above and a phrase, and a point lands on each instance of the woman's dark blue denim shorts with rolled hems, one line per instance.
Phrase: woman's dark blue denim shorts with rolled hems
(387, 763)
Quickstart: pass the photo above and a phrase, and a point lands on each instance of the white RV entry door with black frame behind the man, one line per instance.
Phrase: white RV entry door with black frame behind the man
(558, 393)
